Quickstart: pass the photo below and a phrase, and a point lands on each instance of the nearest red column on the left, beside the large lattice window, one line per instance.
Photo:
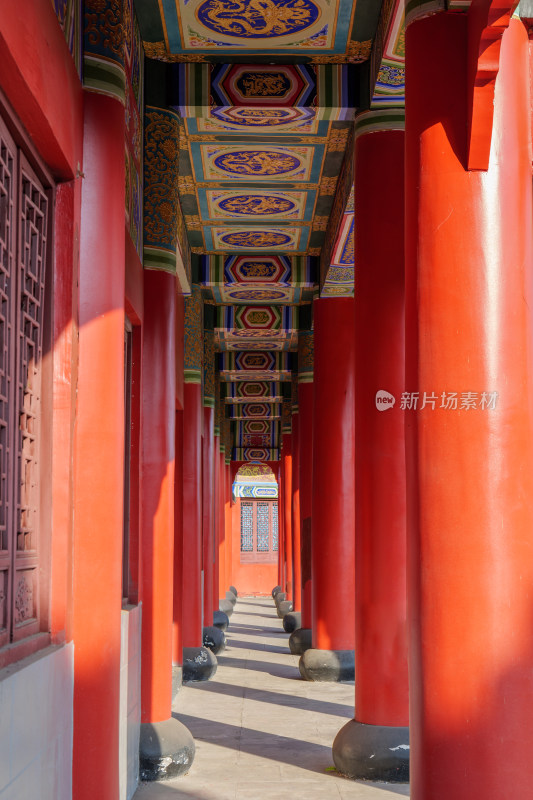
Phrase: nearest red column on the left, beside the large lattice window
(99, 455)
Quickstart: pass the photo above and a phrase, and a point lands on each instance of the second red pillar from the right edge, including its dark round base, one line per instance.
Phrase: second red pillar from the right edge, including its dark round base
(376, 743)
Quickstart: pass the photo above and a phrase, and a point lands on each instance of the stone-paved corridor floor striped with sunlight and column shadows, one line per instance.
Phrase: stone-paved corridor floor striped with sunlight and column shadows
(261, 732)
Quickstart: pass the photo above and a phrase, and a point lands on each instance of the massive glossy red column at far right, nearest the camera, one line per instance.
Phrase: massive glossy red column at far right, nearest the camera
(470, 489)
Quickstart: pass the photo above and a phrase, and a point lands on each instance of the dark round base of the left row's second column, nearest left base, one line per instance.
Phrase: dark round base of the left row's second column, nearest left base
(166, 750)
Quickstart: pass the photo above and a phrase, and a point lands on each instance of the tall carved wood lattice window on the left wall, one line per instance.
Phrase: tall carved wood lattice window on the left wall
(24, 209)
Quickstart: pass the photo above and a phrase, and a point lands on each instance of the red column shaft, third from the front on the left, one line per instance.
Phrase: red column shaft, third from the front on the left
(192, 515)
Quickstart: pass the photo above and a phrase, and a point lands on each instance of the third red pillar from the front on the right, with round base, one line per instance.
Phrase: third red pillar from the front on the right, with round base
(331, 657)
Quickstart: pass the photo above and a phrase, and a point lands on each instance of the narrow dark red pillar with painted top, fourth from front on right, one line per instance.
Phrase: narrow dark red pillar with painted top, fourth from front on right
(305, 406)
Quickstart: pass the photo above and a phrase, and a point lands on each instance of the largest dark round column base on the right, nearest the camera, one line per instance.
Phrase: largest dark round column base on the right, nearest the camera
(372, 752)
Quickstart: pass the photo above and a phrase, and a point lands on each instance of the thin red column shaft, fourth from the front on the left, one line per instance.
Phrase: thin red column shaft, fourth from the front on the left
(208, 452)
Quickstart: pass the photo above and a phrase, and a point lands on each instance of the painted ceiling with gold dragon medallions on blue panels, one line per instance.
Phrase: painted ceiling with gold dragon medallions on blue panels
(266, 92)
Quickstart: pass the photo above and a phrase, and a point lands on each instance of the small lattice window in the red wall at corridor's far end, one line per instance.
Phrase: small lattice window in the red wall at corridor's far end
(259, 526)
